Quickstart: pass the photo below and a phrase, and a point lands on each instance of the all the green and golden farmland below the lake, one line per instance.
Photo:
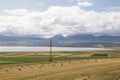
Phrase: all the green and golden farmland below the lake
(66, 65)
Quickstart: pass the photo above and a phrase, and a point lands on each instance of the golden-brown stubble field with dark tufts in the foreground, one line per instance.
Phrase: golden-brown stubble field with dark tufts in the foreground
(101, 69)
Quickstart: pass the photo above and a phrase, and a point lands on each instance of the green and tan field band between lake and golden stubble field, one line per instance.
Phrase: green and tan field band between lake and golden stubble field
(28, 57)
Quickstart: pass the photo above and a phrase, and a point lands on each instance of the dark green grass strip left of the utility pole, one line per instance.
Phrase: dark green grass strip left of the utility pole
(24, 59)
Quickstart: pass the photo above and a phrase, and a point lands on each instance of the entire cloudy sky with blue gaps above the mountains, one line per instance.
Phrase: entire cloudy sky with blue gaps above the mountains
(66, 17)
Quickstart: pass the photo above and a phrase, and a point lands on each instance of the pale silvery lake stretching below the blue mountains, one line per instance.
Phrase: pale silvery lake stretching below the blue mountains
(40, 49)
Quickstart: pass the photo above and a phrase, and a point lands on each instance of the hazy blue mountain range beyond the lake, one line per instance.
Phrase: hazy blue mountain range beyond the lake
(78, 40)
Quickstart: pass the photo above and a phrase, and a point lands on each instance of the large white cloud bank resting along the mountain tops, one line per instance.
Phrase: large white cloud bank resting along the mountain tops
(60, 20)
